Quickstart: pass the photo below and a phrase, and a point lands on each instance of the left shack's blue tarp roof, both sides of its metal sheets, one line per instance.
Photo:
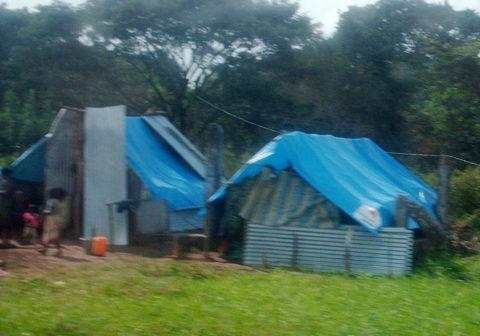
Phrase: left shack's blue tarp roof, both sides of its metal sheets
(166, 175)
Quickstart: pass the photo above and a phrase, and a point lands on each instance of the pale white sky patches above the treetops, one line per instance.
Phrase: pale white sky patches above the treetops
(322, 11)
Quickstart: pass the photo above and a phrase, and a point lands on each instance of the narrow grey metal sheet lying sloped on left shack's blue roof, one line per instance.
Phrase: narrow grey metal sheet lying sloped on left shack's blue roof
(179, 143)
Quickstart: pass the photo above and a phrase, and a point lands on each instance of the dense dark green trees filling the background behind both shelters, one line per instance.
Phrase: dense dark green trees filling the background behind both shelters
(404, 73)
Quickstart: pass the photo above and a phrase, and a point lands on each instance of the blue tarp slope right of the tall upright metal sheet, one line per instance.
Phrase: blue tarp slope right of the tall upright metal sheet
(166, 175)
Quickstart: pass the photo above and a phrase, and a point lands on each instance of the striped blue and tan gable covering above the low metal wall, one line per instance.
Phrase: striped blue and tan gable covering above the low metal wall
(288, 200)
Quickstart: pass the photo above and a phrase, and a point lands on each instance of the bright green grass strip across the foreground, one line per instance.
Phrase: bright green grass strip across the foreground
(158, 298)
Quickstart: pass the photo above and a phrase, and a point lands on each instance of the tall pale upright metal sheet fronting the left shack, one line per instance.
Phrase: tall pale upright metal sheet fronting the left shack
(105, 172)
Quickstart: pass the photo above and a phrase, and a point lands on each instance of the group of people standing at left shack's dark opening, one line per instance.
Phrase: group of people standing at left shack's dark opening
(26, 221)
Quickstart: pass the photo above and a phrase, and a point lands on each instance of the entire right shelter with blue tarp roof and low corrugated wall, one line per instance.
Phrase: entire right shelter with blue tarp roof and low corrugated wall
(320, 203)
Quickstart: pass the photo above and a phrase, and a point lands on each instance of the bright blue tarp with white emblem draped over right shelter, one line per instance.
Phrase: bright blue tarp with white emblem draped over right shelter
(355, 174)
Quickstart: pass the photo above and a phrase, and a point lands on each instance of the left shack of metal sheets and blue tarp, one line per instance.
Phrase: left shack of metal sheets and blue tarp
(87, 154)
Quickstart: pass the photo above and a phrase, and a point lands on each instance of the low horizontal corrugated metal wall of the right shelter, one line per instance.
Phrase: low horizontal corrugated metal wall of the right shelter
(389, 252)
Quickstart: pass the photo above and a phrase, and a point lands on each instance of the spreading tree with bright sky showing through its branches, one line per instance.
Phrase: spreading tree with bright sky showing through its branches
(178, 46)
